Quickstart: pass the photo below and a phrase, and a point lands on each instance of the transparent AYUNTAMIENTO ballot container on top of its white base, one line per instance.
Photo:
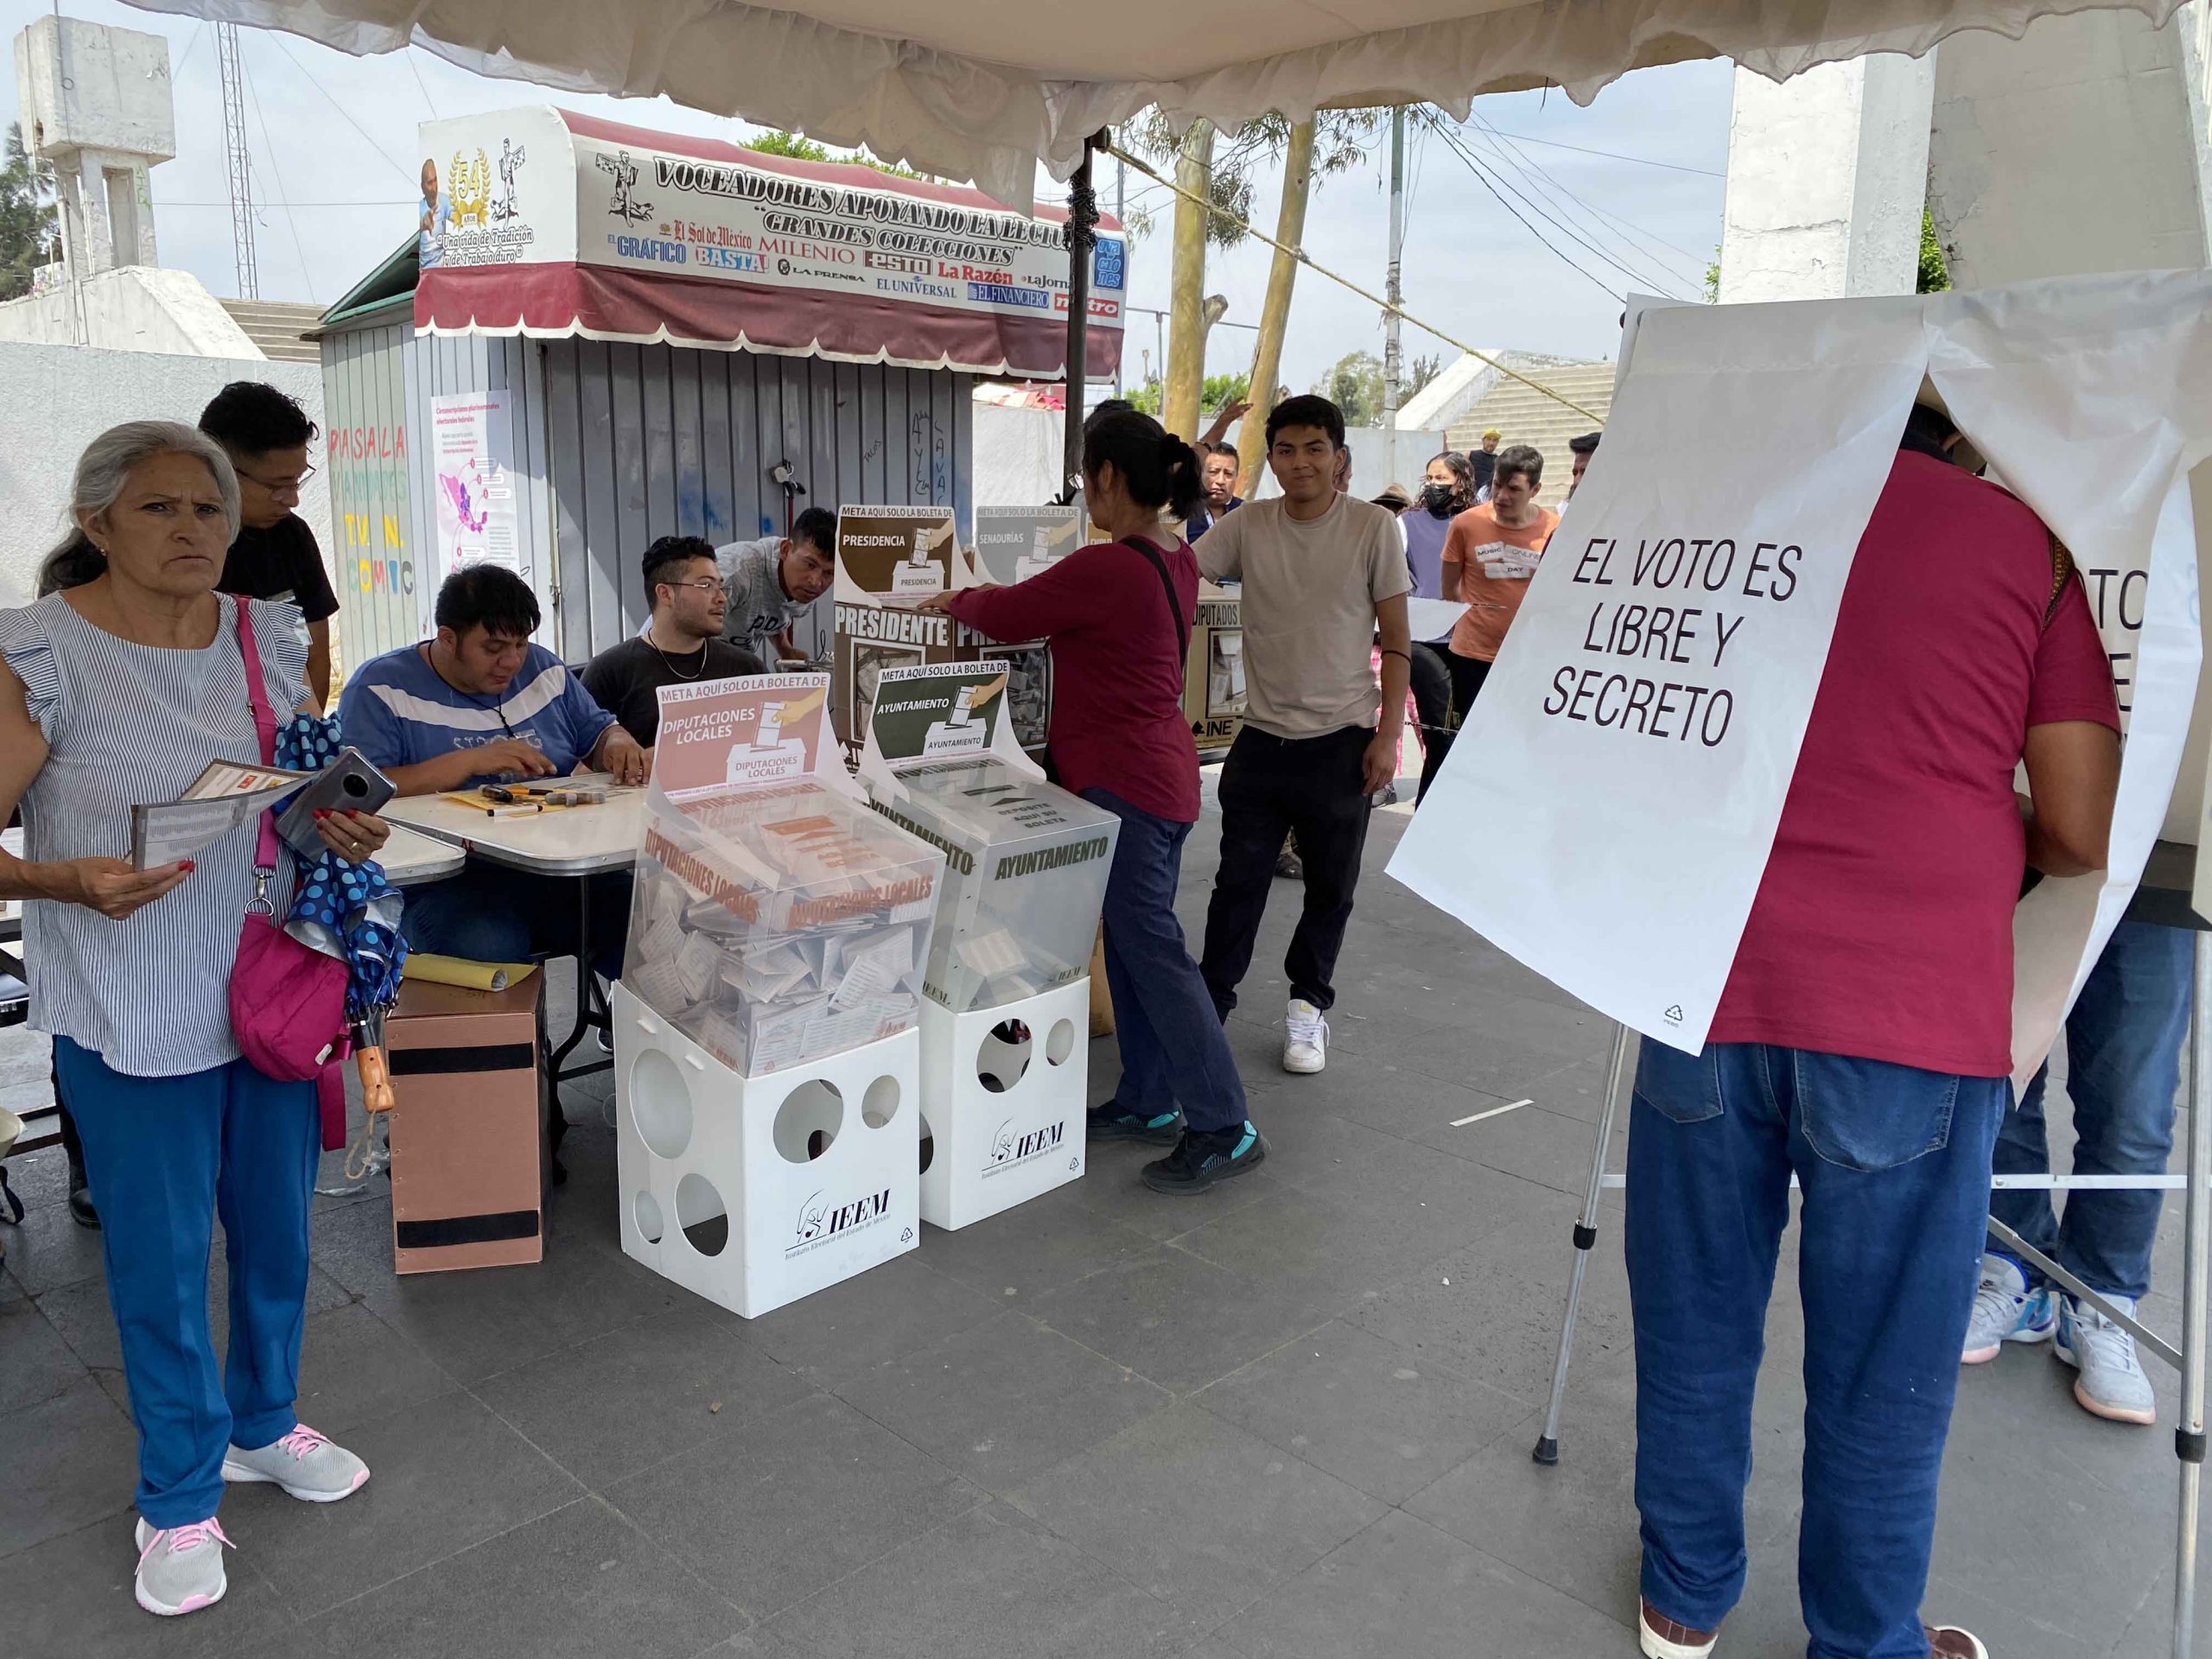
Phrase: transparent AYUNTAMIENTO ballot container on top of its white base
(1025, 875)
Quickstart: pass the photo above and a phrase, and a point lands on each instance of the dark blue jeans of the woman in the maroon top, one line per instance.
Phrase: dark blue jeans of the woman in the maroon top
(1173, 1047)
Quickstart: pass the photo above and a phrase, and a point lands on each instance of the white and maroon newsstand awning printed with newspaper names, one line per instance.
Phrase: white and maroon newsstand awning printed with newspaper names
(552, 225)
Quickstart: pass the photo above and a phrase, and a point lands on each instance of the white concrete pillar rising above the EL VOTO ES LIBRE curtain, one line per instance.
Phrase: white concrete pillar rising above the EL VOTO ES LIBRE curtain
(1826, 180)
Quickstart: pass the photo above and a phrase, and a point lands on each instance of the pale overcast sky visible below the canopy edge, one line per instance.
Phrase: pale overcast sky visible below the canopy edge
(335, 178)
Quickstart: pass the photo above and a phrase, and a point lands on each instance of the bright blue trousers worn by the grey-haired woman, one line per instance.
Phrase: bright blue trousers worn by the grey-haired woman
(167, 1156)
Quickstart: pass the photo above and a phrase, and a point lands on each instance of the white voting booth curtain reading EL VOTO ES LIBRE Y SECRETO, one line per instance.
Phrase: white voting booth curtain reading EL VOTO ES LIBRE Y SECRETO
(1611, 800)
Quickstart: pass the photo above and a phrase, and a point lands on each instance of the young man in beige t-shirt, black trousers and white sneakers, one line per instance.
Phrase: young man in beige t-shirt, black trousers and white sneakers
(1324, 578)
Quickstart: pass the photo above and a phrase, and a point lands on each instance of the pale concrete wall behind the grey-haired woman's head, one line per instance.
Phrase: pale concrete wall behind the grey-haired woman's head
(61, 397)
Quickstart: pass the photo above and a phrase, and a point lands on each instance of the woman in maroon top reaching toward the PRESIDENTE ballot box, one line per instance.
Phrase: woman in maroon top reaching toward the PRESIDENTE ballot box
(1118, 620)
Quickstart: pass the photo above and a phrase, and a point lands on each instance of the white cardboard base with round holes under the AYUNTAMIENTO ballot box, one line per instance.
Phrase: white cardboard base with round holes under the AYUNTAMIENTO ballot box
(1003, 1120)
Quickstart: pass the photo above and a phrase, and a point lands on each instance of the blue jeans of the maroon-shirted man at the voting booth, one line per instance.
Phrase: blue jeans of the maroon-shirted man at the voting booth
(1895, 1167)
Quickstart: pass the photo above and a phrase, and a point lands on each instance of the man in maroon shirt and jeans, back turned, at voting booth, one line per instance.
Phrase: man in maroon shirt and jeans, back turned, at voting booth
(1864, 1043)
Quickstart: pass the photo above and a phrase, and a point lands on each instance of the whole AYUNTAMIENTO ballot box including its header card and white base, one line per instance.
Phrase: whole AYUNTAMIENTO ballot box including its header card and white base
(1005, 988)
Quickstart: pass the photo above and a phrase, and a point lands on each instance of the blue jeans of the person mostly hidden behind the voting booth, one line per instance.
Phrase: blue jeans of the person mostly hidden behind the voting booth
(2122, 1070)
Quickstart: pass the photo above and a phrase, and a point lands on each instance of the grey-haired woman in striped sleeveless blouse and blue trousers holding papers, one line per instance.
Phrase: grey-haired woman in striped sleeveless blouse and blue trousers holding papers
(118, 689)
